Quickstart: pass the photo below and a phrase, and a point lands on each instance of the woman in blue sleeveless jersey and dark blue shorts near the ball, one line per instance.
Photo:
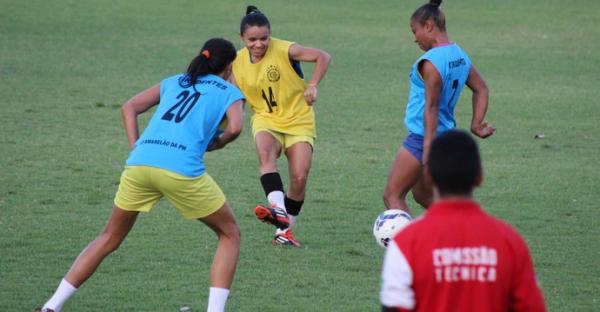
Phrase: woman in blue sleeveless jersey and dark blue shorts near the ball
(436, 81)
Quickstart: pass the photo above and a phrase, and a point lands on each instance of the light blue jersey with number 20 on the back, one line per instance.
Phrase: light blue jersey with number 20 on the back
(184, 123)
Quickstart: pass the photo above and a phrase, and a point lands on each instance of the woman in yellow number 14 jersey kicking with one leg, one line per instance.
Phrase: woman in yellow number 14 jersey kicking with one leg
(267, 70)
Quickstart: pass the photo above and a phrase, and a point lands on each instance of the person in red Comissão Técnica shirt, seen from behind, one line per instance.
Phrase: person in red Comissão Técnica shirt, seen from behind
(457, 257)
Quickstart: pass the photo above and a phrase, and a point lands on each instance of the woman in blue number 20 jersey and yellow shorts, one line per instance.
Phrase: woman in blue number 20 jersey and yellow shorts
(167, 161)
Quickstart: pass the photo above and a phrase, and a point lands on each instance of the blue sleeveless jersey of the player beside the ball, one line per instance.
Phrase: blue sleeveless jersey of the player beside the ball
(453, 65)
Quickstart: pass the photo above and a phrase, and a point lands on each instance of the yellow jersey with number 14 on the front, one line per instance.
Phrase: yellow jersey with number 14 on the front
(274, 91)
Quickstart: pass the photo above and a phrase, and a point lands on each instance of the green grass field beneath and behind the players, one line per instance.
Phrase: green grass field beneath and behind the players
(67, 66)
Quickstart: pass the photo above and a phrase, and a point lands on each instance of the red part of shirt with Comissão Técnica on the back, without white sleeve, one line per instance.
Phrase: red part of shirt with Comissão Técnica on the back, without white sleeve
(463, 259)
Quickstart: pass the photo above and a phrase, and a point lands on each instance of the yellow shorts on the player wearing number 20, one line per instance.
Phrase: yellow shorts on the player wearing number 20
(141, 187)
